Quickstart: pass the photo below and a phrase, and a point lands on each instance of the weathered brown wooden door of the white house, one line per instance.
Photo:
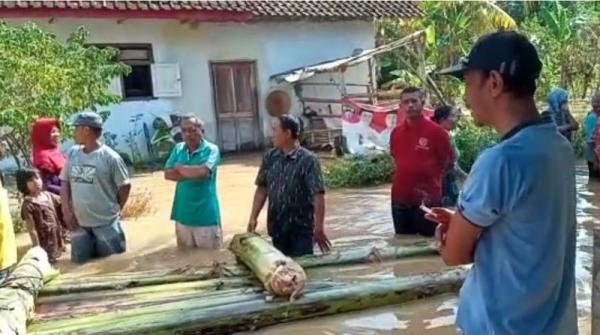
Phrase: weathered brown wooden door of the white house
(235, 97)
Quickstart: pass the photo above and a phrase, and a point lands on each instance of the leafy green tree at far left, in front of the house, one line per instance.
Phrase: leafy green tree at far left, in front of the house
(42, 76)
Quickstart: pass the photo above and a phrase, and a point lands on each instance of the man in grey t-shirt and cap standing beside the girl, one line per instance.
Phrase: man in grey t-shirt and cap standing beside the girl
(95, 189)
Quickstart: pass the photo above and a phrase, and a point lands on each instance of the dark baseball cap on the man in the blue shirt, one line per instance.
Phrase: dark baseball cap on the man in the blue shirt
(507, 52)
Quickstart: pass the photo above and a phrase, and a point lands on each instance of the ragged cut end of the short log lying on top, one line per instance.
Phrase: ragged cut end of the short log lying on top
(286, 281)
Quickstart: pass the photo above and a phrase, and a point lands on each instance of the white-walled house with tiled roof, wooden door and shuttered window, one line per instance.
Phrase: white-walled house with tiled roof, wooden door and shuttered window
(216, 59)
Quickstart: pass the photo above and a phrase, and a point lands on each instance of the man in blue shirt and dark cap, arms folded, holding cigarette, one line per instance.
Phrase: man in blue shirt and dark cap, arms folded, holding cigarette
(516, 214)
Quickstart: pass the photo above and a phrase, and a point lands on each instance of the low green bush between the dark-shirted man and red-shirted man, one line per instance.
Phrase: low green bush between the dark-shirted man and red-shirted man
(358, 171)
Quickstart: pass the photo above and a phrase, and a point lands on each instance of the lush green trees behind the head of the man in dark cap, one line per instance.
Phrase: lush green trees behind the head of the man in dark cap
(567, 35)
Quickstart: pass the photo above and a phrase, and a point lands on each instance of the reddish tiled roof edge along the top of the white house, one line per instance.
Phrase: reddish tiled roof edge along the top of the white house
(258, 9)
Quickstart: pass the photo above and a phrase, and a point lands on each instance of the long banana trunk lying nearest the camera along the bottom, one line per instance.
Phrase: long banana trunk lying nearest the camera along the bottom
(186, 317)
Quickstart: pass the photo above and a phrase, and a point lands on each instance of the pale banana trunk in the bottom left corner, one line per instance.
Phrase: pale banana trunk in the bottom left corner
(18, 290)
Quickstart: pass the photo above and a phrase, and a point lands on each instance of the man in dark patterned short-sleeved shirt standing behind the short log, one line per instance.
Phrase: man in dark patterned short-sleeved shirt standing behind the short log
(290, 177)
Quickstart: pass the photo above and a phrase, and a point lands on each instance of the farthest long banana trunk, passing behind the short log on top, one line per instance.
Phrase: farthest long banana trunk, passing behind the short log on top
(73, 284)
